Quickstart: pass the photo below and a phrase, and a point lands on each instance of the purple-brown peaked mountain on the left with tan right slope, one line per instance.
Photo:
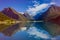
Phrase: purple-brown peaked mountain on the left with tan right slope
(10, 12)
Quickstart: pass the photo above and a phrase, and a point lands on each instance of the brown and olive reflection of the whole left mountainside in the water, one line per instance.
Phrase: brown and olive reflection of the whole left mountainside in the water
(10, 29)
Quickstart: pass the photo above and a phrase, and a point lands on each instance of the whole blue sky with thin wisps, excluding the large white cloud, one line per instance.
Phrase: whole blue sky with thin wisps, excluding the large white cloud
(23, 5)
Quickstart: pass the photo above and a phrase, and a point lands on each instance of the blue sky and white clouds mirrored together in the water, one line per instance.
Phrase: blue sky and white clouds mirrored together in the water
(30, 32)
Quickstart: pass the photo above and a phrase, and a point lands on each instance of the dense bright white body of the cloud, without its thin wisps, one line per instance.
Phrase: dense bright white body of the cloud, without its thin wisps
(37, 8)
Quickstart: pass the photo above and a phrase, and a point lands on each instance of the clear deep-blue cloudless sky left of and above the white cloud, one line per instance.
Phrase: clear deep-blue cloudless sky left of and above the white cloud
(19, 5)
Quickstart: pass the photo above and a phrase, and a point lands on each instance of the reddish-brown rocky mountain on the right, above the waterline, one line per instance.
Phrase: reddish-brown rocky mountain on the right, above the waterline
(53, 15)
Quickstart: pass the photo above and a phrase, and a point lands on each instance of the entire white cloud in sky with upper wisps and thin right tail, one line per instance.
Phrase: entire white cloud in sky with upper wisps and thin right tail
(38, 8)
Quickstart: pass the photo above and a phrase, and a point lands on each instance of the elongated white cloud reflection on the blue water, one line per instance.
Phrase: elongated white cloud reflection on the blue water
(35, 31)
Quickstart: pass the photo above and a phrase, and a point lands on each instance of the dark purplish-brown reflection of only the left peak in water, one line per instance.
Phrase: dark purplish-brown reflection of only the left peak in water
(10, 30)
